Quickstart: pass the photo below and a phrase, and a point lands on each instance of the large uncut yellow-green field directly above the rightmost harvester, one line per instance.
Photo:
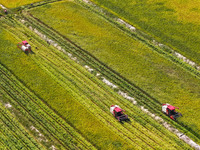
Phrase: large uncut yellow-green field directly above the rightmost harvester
(166, 81)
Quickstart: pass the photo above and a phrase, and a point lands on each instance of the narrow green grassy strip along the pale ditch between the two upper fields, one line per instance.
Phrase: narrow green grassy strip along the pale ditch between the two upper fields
(163, 50)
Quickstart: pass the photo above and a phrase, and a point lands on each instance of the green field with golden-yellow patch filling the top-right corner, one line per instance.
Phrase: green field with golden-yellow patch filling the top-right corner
(174, 22)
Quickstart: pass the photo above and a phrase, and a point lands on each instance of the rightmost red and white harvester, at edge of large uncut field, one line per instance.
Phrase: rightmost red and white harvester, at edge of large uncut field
(170, 111)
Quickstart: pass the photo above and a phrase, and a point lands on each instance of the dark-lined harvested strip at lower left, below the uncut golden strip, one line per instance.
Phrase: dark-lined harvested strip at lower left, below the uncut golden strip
(52, 123)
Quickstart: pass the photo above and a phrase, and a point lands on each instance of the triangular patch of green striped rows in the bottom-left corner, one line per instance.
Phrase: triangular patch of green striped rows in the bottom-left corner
(14, 135)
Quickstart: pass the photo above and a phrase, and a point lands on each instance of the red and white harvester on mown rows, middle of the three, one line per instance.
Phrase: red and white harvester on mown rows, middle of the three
(118, 113)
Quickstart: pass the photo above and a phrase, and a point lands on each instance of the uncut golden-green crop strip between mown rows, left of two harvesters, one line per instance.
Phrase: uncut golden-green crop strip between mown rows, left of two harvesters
(56, 96)
